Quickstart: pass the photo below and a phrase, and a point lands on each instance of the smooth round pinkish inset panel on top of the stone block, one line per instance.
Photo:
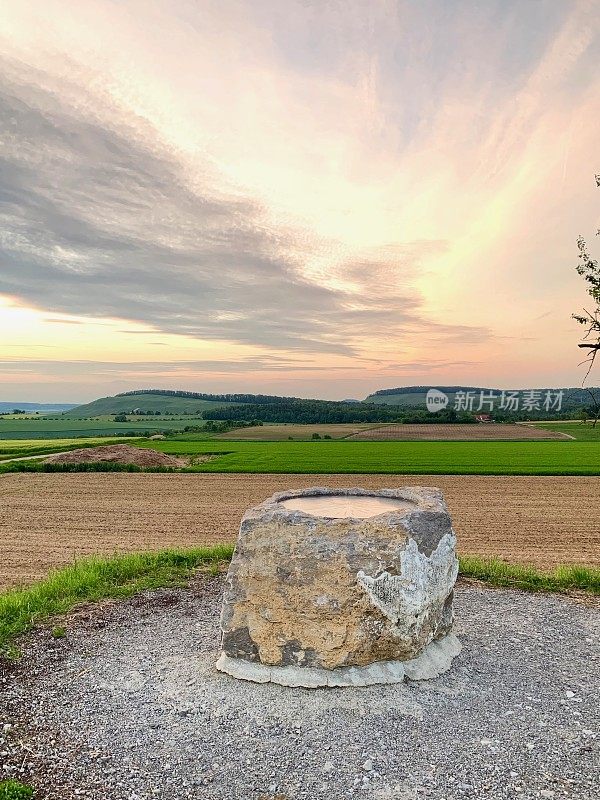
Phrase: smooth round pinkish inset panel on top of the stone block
(341, 506)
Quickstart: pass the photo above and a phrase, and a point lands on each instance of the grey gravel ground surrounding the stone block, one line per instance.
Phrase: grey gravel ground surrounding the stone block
(128, 706)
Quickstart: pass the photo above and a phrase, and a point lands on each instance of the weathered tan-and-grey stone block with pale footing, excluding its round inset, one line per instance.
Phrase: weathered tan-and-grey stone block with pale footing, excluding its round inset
(316, 593)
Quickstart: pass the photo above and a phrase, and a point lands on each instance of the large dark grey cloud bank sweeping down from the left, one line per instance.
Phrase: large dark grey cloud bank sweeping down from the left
(99, 221)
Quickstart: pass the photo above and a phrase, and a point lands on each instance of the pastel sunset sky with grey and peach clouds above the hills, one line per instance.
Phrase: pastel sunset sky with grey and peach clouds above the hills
(317, 199)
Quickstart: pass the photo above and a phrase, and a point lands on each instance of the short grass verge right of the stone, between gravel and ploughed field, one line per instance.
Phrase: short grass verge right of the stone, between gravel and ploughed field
(562, 579)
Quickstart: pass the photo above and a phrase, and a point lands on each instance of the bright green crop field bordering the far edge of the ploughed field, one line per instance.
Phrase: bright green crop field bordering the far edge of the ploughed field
(442, 458)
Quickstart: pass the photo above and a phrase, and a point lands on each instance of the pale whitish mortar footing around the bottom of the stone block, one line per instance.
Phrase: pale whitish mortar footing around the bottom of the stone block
(435, 659)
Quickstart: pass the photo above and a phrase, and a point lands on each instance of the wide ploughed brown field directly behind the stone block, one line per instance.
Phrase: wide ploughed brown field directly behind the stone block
(47, 520)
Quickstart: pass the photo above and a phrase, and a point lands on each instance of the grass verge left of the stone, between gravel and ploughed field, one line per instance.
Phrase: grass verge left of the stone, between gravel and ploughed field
(95, 579)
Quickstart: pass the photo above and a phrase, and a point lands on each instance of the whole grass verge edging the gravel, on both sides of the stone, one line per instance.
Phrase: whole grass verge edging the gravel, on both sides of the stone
(122, 576)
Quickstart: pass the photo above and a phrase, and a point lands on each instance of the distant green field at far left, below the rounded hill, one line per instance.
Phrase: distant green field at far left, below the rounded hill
(62, 427)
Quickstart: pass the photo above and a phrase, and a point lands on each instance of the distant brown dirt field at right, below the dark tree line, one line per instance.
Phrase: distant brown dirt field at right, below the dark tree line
(475, 432)
